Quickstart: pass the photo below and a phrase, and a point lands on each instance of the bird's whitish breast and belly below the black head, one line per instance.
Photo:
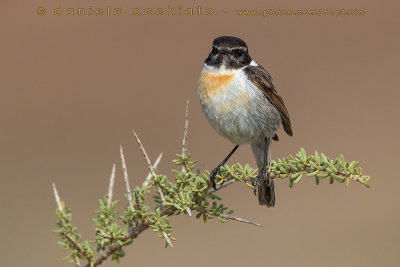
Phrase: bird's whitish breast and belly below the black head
(237, 109)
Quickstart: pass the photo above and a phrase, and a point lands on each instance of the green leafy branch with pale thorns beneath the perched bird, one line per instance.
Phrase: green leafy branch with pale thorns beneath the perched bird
(190, 191)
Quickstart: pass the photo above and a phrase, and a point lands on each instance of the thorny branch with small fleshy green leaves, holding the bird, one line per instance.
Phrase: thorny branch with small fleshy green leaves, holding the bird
(113, 240)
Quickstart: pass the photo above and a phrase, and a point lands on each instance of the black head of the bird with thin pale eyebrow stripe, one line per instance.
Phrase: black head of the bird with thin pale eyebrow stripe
(229, 51)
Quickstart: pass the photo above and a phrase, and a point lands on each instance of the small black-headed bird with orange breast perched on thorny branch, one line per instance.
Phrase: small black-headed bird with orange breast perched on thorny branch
(241, 103)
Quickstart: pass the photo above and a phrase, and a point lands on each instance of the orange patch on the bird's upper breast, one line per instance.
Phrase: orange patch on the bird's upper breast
(212, 83)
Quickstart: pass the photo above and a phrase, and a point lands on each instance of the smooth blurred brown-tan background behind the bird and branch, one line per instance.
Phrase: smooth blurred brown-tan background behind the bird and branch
(73, 87)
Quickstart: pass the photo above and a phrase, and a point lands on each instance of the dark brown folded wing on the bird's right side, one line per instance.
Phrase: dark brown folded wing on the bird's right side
(261, 78)
